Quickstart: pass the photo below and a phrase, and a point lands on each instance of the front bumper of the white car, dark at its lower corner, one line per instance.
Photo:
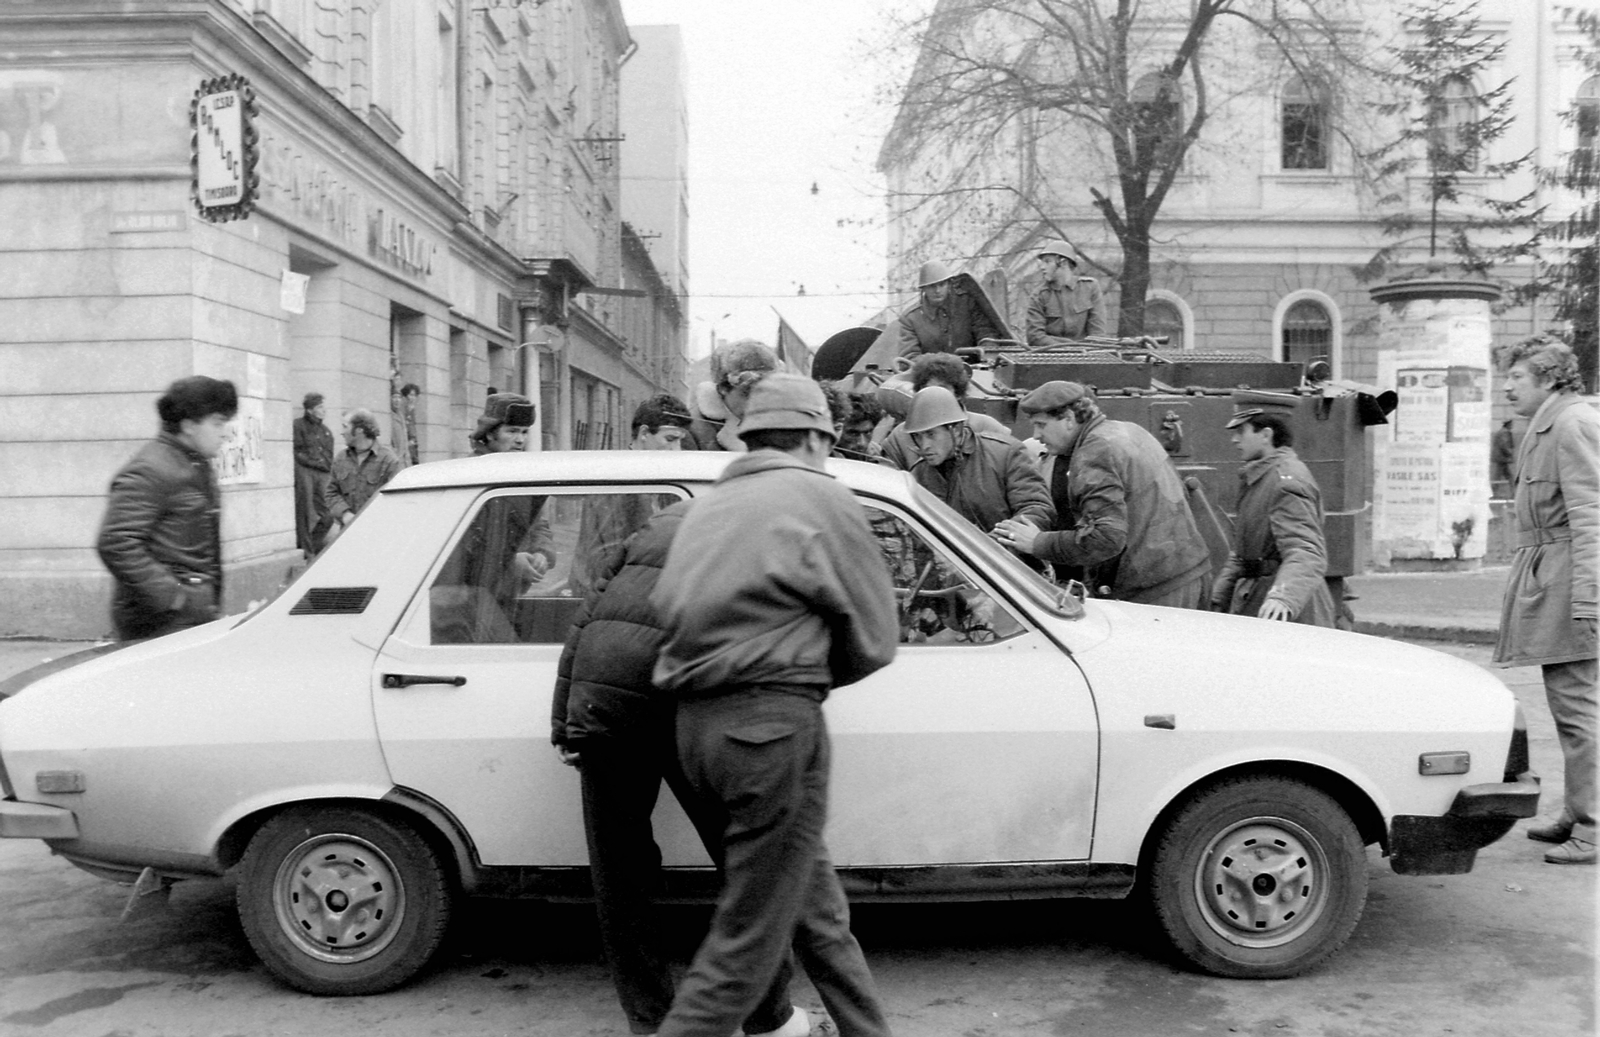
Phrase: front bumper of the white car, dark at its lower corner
(1449, 844)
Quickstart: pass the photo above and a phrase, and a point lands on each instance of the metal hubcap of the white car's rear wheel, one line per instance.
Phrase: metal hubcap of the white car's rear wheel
(340, 899)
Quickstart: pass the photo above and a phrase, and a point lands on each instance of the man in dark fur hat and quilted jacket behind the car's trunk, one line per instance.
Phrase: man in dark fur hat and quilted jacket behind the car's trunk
(161, 537)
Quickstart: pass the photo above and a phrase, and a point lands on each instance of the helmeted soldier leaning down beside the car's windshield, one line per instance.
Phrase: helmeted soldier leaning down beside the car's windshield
(985, 476)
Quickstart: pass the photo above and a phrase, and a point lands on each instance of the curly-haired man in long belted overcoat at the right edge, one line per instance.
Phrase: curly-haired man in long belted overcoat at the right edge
(1548, 619)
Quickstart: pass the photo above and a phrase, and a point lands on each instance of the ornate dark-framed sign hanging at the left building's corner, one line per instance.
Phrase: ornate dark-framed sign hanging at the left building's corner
(225, 148)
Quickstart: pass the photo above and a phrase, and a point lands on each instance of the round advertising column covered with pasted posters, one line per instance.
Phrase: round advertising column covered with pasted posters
(1431, 502)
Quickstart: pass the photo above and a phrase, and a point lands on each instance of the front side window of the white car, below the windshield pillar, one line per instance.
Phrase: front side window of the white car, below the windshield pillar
(938, 604)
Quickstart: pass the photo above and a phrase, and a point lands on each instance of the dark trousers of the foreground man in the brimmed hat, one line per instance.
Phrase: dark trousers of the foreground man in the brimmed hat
(761, 756)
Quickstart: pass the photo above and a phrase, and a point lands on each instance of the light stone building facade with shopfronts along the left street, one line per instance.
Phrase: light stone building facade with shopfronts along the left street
(439, 188)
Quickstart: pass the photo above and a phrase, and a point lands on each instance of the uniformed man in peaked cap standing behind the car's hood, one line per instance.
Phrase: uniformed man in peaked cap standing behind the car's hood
(1279, 566)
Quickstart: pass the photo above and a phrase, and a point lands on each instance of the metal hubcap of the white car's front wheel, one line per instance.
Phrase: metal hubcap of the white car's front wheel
(1262, 883)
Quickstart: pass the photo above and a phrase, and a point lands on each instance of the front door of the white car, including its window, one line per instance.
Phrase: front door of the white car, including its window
(978, 745)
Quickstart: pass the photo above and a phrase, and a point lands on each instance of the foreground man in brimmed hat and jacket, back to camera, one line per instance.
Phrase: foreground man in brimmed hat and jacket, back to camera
(775, 593)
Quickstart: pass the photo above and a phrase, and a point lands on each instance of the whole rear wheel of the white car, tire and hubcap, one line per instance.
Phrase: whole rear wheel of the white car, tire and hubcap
(342, 902)
